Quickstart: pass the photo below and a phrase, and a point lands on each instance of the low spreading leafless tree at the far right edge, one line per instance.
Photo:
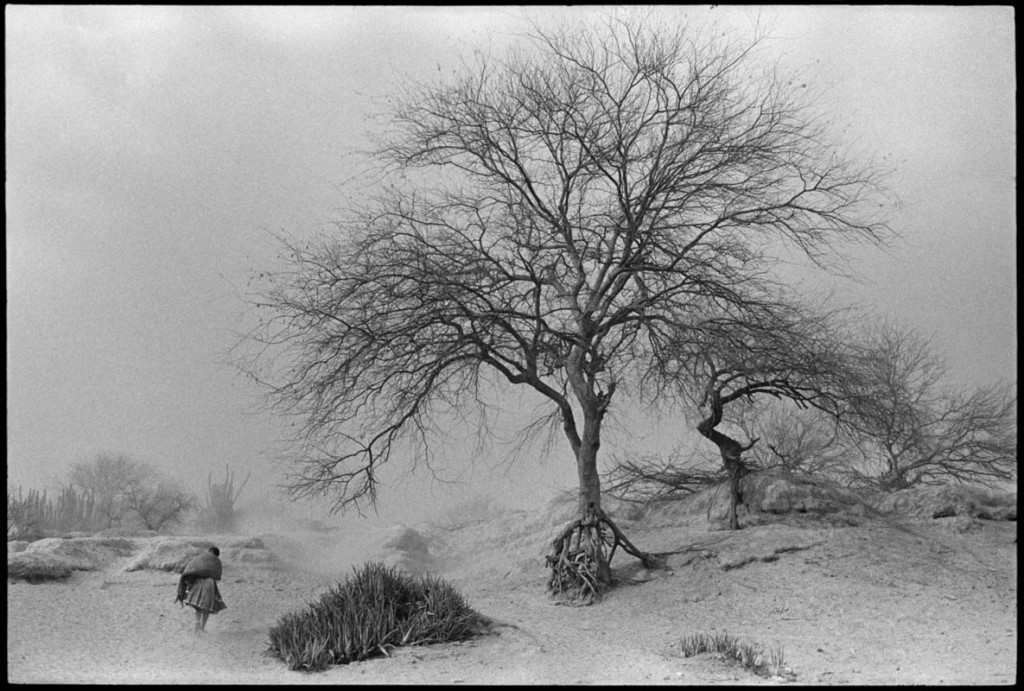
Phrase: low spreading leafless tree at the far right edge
(911, 428)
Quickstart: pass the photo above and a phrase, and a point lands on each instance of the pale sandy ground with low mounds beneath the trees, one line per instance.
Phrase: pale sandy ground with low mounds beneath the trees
(856, 592)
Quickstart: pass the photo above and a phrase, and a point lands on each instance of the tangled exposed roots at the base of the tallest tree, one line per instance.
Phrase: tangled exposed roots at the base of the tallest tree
(581, 558)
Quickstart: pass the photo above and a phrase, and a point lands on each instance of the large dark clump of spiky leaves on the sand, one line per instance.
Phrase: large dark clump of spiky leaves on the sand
(376, 610)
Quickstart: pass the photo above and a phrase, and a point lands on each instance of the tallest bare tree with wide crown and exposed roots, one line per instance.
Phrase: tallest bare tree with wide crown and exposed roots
(546, 221)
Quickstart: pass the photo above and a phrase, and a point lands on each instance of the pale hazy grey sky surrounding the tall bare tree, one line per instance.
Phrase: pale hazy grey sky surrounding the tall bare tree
(153, 153)
